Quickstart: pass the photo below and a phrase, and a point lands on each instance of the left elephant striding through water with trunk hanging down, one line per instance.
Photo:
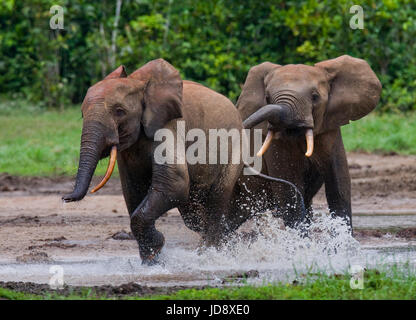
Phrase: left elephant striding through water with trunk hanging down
(121, 116)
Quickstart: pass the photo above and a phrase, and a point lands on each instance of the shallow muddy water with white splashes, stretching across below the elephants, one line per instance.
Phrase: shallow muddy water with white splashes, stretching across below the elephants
(274, 253)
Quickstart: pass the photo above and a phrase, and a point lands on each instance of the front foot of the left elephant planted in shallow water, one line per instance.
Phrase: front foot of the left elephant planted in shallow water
(150, 247)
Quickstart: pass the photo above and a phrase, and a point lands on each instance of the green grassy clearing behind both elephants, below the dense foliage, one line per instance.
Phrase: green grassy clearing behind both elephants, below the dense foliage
(36, 142)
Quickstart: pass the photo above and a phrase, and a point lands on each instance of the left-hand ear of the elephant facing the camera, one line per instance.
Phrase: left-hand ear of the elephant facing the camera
(253, 95)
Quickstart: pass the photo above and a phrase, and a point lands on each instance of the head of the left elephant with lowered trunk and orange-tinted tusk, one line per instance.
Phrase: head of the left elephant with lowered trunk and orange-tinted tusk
(115, 110)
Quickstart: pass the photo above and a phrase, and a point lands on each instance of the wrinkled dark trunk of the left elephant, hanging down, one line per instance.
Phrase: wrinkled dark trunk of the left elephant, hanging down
(93, 143)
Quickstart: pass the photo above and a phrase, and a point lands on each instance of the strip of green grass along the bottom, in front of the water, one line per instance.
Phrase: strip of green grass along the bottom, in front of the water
(377, 286)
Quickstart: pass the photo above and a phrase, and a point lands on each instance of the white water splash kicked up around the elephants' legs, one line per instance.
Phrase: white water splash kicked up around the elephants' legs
(275, 252)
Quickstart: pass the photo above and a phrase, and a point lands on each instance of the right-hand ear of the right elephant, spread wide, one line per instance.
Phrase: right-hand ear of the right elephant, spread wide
(354, 90)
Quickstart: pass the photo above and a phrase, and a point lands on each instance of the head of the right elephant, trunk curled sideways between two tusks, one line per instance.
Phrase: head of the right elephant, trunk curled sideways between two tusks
(308, 100)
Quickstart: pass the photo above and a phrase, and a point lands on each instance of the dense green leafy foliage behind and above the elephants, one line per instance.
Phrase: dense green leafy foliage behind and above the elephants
(212, 41)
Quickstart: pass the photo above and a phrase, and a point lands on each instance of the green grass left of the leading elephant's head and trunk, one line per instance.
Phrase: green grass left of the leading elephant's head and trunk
(37, 142)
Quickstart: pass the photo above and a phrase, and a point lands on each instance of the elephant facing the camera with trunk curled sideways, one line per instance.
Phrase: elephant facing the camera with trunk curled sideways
(301, 108)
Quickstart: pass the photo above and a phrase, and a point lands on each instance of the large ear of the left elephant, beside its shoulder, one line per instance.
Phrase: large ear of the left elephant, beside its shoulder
(162, 94)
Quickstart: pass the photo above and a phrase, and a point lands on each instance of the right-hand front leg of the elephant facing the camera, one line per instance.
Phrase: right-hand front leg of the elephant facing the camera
(338, 183)
